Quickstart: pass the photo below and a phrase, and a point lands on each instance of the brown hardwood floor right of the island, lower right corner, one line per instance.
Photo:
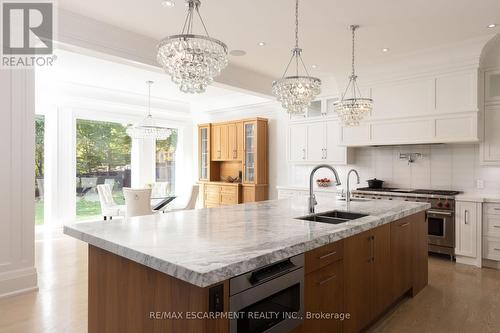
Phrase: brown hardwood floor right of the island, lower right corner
(459, 298)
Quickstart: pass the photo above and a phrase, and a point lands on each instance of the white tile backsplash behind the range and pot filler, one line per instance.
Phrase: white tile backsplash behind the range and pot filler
(447, 166)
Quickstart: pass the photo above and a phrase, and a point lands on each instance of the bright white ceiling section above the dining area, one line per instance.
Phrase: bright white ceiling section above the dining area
(97, 73)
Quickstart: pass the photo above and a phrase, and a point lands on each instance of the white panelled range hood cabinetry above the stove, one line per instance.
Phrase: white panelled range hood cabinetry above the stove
(437, 108)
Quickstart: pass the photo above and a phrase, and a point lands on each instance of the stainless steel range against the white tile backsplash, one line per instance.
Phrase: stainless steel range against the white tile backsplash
(440, 218)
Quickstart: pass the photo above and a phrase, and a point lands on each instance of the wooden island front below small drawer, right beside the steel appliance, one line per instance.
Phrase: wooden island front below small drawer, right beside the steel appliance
(324, 295)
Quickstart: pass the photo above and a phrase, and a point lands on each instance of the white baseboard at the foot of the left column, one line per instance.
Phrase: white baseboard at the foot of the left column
(18, 282)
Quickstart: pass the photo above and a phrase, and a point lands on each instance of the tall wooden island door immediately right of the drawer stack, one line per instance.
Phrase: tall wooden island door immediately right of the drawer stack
(358, 281)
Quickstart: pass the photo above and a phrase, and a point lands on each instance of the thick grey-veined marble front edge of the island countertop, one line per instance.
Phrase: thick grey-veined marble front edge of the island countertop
(212, 277)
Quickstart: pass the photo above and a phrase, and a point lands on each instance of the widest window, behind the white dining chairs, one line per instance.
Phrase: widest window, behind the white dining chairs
(102, 157)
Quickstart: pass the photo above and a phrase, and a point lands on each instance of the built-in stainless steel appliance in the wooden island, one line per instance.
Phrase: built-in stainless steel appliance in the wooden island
(269, 299)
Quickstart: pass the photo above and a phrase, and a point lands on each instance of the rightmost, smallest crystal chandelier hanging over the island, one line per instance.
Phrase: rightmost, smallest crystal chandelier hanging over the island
(352, 110)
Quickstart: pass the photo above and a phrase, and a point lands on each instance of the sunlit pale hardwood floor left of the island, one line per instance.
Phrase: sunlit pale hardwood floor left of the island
(60, 305)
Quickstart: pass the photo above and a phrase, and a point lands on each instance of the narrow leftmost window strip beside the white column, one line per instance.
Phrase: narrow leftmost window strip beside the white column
(39, 168)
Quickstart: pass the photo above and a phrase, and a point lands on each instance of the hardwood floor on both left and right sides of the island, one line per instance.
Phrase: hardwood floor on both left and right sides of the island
(458, 298)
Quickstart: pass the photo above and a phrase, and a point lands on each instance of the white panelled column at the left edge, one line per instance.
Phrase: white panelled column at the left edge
(17, 199)
